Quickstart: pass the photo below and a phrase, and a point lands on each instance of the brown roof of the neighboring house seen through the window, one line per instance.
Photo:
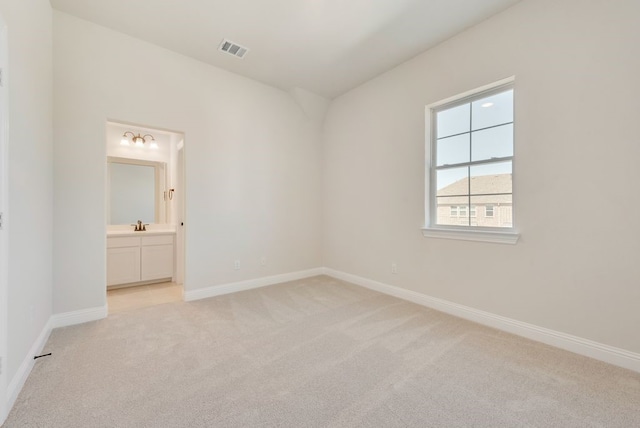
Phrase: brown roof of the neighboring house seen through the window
(481, 185)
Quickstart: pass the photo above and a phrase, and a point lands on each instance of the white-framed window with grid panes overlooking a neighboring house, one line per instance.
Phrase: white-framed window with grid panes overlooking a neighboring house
(472, 146)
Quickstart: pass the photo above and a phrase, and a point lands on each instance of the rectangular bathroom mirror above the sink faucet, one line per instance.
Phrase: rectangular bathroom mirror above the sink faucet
(136, 191)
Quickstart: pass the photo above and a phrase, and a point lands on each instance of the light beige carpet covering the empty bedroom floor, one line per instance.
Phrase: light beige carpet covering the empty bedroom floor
(314, 353)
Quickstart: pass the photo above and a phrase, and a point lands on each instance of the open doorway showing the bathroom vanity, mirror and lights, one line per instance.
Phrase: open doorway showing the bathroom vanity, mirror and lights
(145, 216)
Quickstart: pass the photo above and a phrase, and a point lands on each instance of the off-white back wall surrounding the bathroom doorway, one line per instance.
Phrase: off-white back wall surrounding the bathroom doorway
(252, 161)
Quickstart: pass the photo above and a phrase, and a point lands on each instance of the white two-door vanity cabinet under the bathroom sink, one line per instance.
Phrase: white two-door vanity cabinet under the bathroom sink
(144, 258)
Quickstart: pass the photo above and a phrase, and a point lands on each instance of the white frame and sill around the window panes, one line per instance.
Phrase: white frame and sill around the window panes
(468, 233)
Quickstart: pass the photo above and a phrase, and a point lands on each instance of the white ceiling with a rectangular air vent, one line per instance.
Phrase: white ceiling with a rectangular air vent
(324, 46)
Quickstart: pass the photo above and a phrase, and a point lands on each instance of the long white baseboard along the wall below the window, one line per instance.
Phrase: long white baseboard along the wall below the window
(578, 345)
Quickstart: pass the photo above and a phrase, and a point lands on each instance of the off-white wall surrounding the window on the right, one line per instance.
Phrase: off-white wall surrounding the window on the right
(576, 268)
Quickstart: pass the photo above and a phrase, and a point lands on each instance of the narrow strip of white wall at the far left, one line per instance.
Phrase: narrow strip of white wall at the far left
(29, 222)
